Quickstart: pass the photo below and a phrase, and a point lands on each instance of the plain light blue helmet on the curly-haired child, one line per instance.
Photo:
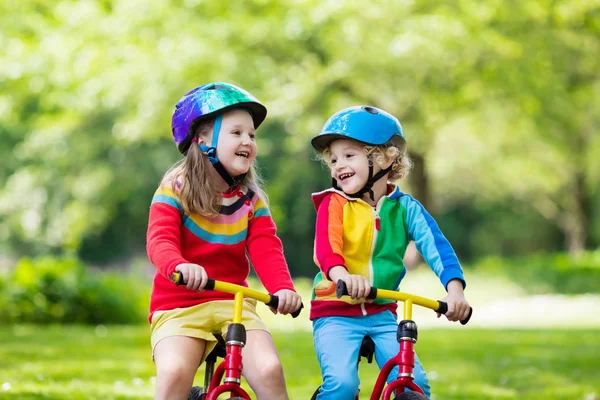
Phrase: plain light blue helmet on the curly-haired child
(366, 124)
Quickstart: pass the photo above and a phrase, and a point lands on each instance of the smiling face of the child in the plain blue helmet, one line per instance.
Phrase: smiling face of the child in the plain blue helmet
(349, 165)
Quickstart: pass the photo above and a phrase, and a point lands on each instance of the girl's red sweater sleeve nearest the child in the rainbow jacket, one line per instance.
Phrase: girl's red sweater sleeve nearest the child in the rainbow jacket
(266, 251)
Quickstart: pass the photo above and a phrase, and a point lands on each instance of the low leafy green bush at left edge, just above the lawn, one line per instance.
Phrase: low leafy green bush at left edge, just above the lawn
(63, 290)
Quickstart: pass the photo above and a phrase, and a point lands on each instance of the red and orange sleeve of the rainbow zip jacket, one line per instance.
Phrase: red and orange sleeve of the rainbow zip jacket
(329, 233)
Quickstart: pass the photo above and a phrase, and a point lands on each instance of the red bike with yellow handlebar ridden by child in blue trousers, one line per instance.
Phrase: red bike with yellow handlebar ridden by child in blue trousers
(407, 337)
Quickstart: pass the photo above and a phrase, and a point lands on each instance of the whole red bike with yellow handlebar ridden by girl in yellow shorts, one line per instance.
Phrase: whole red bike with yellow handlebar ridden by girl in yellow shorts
(230, 348)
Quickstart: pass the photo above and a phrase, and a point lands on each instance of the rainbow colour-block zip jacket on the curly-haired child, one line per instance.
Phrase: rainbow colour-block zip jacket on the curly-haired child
(371, 242)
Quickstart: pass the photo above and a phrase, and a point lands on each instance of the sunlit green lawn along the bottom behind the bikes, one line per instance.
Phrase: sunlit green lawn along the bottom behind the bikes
(76, 362)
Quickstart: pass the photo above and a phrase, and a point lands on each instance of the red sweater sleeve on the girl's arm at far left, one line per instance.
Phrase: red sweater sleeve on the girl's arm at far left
(163, 237)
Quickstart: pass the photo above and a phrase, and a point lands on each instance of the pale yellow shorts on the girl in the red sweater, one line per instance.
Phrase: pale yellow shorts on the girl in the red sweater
(202, 321)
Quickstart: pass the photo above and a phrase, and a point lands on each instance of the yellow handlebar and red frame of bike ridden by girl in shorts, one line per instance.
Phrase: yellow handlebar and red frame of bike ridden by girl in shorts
(231, 366)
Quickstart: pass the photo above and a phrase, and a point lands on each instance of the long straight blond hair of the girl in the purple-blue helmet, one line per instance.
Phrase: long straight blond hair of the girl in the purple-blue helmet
(193, 183)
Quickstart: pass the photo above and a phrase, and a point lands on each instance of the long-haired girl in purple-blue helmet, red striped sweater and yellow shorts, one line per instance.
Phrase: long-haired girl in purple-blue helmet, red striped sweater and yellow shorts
(210, 218)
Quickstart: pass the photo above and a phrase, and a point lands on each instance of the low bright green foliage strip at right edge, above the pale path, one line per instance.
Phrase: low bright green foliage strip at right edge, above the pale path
(549, 273)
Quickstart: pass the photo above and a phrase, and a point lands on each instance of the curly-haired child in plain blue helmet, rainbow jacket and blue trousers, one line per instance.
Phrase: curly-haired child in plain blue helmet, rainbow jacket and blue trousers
(364, 224)
